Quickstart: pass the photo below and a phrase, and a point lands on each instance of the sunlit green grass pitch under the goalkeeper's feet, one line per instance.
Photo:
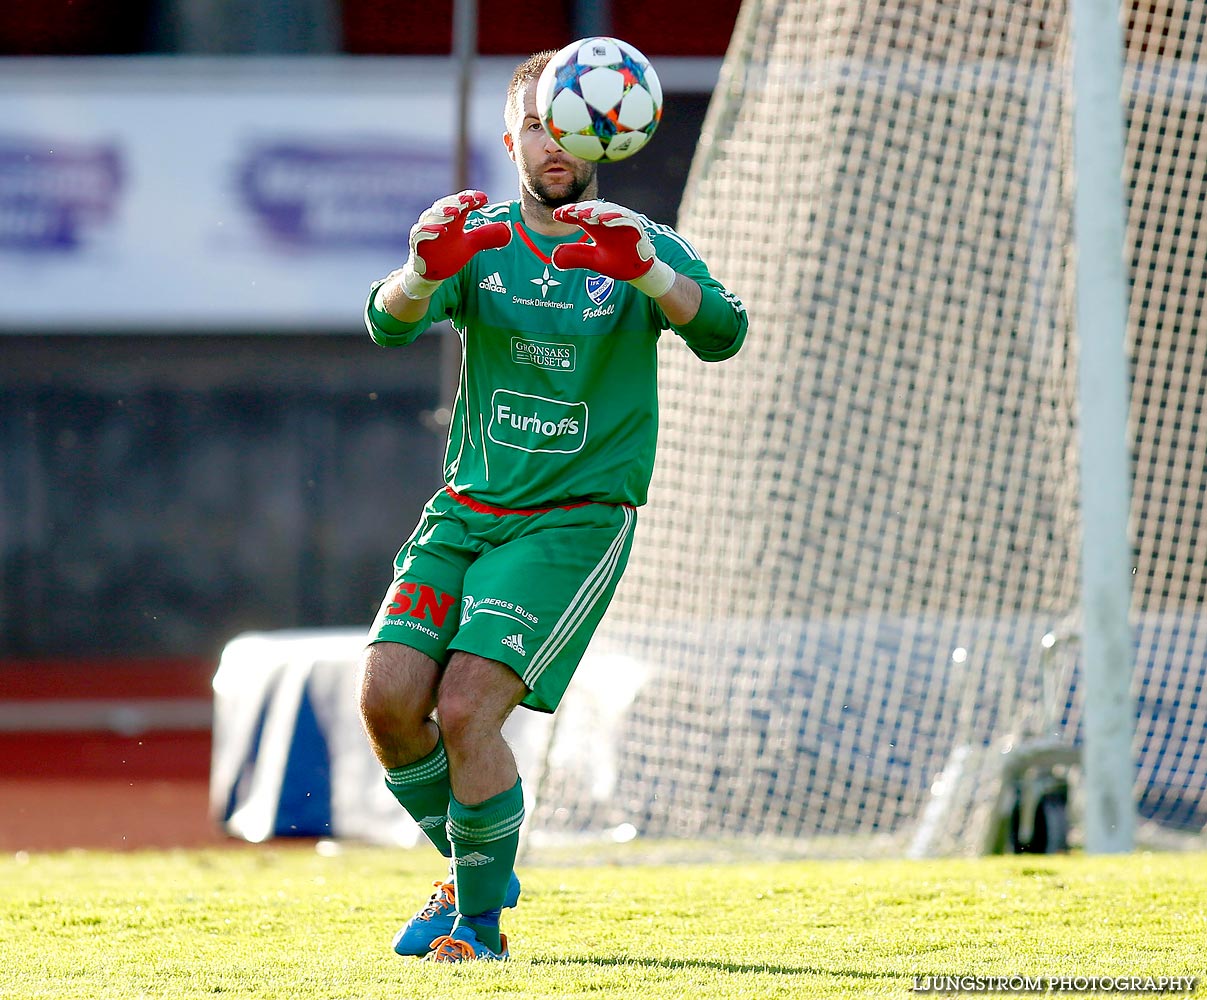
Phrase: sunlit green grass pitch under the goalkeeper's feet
(284, 922)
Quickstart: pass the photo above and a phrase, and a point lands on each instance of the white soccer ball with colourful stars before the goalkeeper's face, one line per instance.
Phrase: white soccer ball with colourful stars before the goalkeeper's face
(599, 100)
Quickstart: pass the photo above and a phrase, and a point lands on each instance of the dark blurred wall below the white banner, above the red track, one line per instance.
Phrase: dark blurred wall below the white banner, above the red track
(164, 493)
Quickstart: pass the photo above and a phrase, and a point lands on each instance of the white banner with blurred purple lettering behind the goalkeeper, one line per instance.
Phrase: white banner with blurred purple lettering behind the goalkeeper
(237, 195)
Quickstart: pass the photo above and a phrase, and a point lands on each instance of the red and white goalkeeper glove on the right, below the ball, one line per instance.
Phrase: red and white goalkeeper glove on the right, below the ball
(621, 248)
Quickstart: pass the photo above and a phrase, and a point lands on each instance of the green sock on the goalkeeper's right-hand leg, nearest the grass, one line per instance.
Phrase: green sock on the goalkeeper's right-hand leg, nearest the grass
(486, 839)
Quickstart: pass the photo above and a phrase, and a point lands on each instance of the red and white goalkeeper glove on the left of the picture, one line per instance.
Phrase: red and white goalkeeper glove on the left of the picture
(440, 245)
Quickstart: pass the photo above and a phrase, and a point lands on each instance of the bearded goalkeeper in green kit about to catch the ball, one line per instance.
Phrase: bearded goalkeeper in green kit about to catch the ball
(559, 301)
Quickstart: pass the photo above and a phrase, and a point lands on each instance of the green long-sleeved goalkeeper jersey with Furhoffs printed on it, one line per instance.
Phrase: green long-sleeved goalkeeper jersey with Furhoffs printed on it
(558, 399)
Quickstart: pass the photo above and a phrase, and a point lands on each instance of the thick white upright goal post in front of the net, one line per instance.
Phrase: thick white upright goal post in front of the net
(1100, 233)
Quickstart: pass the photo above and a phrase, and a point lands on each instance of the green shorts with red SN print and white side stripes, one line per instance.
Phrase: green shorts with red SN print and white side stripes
(526, 588)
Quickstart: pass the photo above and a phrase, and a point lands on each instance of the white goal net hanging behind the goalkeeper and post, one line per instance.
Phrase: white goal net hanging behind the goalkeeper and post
(855, 594)
